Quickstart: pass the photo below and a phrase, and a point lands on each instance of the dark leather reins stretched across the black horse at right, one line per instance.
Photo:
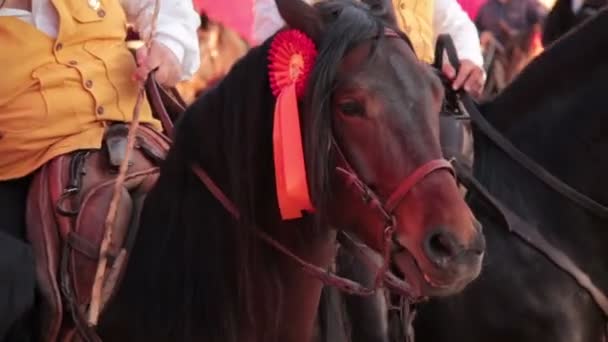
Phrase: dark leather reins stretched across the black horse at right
(515, 224)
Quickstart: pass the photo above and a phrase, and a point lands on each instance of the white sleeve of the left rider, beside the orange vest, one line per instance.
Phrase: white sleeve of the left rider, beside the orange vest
(176, 28)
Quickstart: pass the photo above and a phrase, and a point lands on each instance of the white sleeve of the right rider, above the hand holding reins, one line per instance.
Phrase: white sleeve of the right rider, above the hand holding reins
(450, 18)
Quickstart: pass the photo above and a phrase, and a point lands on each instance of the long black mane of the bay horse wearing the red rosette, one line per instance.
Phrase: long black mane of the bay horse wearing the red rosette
(202, 270)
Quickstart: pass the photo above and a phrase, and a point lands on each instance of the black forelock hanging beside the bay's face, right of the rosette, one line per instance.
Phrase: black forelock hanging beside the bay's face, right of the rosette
(347, 24)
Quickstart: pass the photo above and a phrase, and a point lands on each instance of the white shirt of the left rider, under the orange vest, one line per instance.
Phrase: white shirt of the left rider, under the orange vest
(176, 25)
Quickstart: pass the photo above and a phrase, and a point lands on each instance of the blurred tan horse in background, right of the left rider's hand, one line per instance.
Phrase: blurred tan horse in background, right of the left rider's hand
(221, 47)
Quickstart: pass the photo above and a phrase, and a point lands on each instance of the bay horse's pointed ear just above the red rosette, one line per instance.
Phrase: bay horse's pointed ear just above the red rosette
(300, 15)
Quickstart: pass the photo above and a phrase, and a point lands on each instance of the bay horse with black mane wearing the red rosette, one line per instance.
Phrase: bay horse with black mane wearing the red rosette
(198, 274)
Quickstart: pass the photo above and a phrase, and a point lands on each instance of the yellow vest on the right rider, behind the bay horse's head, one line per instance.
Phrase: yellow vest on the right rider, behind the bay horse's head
(415, 17)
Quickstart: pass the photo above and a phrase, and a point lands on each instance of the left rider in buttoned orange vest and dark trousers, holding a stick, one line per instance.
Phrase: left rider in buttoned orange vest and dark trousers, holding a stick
(67, 73)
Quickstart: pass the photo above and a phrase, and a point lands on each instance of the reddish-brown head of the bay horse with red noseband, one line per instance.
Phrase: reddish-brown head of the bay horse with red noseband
(375, 105)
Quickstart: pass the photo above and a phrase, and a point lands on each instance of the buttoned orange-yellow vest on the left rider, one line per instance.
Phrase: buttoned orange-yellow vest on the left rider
(57, 95)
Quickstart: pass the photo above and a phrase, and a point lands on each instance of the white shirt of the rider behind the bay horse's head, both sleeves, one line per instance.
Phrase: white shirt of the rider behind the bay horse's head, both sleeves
(449, 17)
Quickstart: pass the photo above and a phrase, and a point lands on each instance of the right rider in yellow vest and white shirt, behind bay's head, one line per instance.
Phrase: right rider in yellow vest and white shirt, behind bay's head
(422, 20)
